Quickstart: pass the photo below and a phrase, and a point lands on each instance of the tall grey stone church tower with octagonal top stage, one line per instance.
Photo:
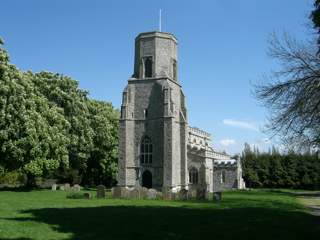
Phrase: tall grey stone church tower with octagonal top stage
(153, 131)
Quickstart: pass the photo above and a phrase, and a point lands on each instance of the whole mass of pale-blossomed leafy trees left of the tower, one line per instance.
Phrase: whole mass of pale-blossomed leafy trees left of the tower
(50, 128)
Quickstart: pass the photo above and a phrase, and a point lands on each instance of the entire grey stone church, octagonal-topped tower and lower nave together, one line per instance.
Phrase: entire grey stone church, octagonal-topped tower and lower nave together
(157, 147)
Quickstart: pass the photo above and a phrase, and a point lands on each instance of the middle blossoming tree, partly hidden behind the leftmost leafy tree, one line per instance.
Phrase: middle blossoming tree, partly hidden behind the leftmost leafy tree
(64, 92)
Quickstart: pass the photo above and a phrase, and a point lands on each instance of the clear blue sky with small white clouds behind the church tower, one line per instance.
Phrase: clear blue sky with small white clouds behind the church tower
(222, 51)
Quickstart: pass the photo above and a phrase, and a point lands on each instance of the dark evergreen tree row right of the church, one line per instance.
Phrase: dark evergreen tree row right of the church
(272, 169)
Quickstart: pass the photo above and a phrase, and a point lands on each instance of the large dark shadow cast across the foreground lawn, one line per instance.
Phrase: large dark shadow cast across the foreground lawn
(155, 222)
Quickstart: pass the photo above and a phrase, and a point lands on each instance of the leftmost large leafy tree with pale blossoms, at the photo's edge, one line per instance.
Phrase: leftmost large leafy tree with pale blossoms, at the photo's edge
(32, 131)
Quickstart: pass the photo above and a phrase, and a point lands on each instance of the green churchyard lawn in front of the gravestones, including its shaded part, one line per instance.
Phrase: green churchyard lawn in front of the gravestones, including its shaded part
(241, 215)
